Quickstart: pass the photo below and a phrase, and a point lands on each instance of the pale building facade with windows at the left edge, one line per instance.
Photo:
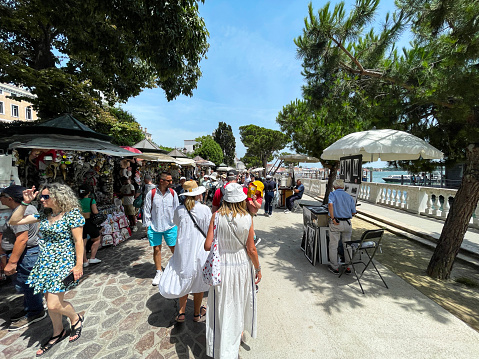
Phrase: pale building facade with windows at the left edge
(15, 110)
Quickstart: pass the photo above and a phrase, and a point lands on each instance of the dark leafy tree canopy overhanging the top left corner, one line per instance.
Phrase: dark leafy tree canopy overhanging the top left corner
(89, 52)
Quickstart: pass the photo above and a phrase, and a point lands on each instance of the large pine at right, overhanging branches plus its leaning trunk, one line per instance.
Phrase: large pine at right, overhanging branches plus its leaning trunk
(429, 90)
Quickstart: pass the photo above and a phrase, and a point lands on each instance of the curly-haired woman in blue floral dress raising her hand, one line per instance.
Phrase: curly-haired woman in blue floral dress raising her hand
(61, 255)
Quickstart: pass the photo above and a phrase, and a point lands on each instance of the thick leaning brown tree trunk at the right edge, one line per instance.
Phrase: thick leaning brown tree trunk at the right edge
(457, 221)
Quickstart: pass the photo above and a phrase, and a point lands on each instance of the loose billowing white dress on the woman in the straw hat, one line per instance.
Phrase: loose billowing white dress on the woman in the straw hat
(183, 273)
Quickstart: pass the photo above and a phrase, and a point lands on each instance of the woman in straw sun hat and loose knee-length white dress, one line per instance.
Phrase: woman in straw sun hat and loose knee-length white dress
(183, 274)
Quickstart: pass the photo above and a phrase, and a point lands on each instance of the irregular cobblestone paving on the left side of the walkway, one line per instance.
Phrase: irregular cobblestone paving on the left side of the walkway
(125, 316)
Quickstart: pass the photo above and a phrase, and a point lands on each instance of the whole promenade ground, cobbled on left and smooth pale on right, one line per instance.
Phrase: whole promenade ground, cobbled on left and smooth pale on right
(304, 311)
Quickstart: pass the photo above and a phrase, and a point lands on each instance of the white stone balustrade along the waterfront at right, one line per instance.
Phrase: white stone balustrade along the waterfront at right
(428, 201)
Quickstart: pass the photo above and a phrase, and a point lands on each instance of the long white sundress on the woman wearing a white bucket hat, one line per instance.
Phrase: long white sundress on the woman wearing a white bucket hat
(232, 304)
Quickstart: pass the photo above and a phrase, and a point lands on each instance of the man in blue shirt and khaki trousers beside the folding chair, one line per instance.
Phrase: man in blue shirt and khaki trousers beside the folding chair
(341, 207)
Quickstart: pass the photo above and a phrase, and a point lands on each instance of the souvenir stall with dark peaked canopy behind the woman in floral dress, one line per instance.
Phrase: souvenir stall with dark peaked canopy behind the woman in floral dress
(82, 156)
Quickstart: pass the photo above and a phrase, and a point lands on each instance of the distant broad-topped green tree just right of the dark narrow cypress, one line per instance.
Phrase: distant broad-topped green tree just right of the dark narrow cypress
(262, 142)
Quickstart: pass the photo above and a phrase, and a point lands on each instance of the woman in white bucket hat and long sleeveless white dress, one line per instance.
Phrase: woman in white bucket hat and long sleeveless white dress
(232, 304)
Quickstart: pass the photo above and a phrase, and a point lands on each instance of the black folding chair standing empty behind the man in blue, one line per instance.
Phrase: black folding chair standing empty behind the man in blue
(370, 242)
